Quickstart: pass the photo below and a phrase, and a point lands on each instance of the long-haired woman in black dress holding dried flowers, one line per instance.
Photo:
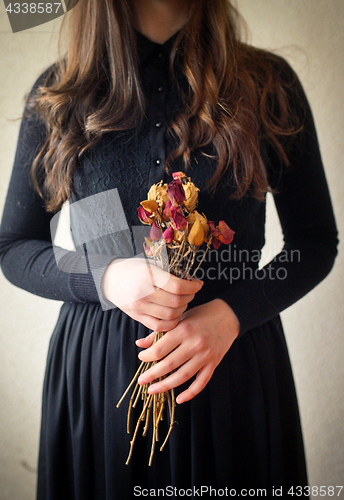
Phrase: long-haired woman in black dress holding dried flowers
(149, 87)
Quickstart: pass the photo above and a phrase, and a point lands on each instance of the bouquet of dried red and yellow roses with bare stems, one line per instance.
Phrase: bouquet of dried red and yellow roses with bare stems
(177, 231)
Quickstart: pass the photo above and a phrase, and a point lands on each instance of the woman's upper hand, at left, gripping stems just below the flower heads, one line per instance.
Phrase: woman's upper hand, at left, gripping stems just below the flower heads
(148, 294)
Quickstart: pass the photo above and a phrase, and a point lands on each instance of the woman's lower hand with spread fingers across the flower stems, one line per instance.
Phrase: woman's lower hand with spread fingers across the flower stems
(196, 345)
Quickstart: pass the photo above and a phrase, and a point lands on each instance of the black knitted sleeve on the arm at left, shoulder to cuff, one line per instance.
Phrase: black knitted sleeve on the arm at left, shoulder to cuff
(26, 252)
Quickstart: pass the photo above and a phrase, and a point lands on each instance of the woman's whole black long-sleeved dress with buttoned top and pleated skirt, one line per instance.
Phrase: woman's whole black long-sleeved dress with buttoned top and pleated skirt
(243, 430)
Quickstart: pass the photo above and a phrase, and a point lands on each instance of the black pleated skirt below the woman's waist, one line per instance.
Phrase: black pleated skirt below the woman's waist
(241, 432)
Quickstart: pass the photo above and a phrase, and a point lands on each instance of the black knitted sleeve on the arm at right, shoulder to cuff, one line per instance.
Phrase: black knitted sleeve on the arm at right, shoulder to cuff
(309, 230)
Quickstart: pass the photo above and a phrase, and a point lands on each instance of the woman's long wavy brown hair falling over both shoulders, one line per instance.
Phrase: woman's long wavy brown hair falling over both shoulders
(236, 96)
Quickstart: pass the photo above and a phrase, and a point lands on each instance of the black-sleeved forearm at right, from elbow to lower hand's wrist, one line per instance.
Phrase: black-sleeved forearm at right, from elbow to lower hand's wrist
(264, 293)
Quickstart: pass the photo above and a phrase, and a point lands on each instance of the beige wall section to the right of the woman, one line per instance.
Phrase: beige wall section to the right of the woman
(310, 35)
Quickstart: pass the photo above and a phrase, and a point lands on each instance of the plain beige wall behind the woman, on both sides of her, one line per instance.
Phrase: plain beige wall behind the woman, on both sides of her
(310, 35)
